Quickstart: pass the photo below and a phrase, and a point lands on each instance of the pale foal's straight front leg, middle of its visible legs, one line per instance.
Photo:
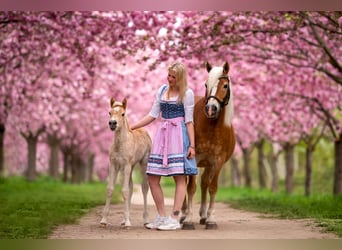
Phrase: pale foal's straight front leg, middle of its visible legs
(127, 187)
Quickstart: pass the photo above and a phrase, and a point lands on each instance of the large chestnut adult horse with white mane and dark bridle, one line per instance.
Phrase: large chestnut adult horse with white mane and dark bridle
(214, 140)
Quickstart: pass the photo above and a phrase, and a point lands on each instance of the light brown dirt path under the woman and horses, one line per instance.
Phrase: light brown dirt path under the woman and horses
(233, 224)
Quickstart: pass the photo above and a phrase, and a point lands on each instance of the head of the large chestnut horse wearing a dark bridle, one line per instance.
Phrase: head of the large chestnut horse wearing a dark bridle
(218, 90)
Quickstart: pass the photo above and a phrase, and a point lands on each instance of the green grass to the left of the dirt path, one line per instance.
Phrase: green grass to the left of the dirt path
(30, 210)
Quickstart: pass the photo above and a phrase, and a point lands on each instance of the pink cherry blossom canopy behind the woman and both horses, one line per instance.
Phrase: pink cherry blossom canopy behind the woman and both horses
(58, 71)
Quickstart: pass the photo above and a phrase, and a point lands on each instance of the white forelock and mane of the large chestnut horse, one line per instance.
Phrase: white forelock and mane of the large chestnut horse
(214, 74)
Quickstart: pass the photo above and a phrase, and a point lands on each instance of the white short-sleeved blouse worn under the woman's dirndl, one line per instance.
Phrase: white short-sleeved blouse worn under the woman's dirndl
(188, 102)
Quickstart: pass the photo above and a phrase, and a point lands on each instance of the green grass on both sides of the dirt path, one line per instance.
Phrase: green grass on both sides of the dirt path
(30, 210)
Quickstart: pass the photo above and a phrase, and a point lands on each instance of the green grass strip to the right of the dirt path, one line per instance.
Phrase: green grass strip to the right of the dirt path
(325, 210)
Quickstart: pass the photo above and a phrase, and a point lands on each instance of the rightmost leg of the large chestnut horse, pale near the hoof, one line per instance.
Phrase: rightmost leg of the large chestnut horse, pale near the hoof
(213, 186)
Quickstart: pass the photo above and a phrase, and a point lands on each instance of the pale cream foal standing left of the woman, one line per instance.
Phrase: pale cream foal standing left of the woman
(129, 148)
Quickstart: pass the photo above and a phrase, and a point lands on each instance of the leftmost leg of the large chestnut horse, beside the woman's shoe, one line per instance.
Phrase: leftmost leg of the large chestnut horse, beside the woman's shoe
(191, 190)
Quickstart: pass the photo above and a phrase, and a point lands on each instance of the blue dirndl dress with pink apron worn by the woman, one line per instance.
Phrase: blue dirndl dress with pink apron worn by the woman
(170, 144)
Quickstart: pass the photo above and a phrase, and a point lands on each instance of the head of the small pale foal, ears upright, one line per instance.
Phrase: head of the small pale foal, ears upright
(117, 114)
